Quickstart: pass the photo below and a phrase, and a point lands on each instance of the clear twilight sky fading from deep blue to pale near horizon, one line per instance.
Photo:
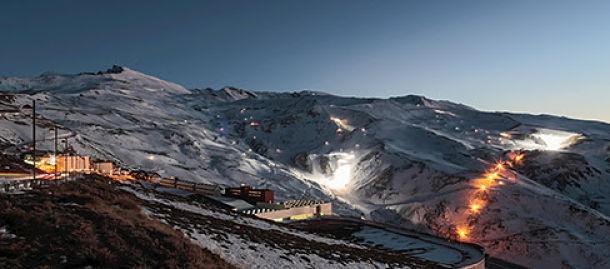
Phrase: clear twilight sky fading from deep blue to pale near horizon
(548, 57)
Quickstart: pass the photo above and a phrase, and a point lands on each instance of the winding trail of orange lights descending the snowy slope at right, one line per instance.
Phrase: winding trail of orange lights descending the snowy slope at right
(494, 176)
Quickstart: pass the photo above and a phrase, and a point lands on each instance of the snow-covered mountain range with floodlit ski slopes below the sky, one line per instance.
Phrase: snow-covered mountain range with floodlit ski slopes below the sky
(408, 160)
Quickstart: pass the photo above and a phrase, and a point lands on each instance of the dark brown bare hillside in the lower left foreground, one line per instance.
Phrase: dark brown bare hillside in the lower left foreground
(91, 223)
